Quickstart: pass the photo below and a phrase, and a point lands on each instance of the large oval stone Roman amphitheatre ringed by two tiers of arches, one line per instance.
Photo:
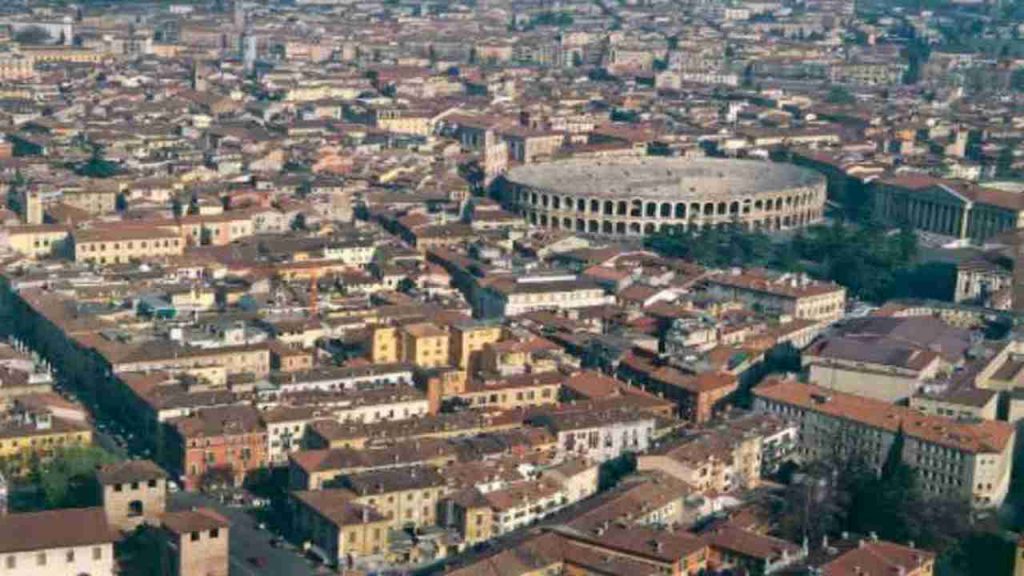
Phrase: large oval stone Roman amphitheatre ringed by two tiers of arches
(635, 196)
